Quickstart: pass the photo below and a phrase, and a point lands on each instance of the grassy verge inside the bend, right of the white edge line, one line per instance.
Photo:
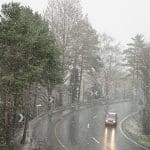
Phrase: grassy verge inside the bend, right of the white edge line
(133, 130)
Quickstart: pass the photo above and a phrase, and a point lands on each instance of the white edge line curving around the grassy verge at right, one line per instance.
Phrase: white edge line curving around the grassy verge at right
(129, 139)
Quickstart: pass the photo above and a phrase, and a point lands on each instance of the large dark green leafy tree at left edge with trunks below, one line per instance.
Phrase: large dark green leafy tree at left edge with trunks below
(29, 54)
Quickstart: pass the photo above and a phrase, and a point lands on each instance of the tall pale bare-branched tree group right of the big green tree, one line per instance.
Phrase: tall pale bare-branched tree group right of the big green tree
(79, 43)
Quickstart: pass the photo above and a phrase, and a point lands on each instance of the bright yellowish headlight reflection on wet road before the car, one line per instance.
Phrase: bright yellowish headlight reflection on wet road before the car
(109, 139)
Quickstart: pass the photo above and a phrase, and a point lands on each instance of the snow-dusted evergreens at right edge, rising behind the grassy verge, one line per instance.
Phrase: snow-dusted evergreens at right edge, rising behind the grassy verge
(138, 58)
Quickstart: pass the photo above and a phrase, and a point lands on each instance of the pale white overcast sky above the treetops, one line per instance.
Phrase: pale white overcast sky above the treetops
(121, 19)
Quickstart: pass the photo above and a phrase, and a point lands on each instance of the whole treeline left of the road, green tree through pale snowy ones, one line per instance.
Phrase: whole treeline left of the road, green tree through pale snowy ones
(59, 51)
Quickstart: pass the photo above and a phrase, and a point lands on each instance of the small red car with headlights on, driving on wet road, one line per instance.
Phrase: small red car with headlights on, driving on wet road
(111, 119)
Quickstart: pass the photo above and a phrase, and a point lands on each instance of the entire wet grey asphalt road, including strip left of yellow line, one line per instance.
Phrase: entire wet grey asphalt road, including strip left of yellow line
(84, 130)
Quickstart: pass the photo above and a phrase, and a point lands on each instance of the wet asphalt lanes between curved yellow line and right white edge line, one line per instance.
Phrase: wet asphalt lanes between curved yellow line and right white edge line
(85, 130)
